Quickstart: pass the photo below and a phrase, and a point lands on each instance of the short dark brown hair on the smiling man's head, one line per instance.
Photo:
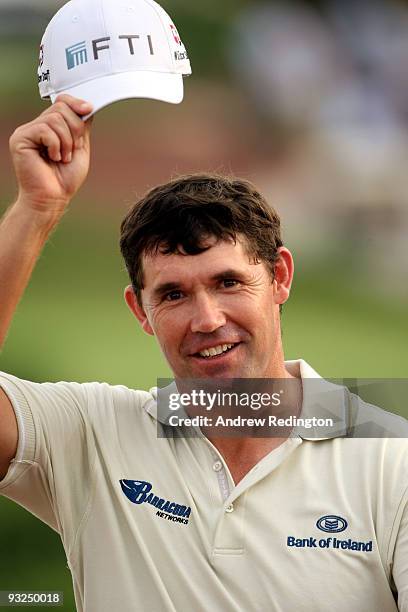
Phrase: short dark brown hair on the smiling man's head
(179, 216)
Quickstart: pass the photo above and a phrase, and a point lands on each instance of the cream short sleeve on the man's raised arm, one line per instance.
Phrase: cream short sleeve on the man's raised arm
(51, 475)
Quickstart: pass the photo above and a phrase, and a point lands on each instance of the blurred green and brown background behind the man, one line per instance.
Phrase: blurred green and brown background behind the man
(325, 140)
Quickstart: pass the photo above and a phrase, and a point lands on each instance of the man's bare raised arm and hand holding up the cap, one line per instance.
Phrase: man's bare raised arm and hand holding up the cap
(51, 161)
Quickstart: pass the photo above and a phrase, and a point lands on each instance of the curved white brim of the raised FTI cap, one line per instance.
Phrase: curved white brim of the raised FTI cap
(102, 91)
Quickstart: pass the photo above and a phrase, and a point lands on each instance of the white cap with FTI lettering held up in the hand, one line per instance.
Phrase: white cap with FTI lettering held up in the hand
(108, 50)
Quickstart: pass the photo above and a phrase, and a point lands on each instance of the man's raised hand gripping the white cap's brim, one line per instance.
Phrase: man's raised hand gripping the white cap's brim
(51, 157)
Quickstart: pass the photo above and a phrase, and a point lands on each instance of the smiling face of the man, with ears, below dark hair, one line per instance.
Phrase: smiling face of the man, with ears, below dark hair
(216, 302)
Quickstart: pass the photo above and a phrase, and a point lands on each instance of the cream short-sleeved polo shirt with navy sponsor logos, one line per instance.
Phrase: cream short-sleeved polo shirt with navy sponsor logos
(157, 524)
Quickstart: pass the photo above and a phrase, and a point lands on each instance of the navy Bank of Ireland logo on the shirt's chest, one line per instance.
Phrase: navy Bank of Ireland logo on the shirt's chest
(330, 523)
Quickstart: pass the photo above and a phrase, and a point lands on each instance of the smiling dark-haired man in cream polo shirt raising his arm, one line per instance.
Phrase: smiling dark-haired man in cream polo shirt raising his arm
(205, 522)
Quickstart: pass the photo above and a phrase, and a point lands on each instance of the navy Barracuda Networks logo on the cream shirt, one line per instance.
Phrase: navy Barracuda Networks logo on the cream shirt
(140, 492)
